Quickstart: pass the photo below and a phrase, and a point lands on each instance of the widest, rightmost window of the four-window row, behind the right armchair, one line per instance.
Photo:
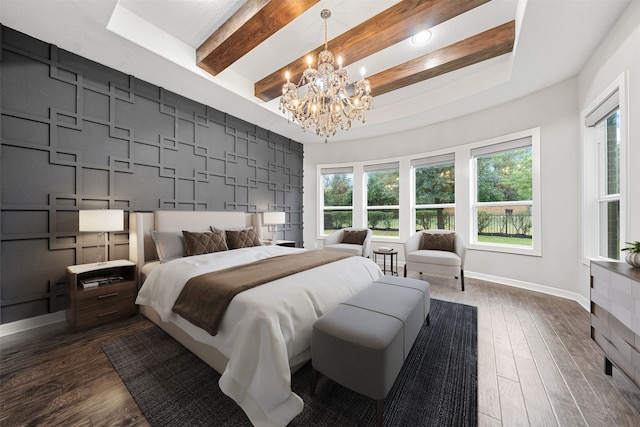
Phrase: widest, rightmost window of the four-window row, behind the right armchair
(503, 202)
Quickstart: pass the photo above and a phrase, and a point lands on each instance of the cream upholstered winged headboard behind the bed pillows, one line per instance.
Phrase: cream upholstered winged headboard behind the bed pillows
(142, 249)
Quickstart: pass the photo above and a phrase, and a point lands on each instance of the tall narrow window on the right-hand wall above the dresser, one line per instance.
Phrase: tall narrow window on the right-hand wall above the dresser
(604, 142)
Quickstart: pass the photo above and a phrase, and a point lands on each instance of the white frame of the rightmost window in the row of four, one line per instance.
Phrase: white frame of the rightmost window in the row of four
(536, 222)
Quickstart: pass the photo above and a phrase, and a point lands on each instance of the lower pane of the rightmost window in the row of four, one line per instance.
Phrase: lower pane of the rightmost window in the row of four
(508, 225)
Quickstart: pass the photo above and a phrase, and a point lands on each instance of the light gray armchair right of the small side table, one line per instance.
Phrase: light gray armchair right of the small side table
(447, 263)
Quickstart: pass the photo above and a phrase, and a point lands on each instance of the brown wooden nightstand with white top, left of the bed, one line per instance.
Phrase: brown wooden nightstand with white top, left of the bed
(101, 293)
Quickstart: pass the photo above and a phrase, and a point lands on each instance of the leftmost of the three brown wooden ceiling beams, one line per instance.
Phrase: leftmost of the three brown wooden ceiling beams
(252, 24)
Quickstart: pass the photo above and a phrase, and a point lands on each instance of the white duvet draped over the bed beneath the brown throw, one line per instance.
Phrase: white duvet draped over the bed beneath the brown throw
(265, 329)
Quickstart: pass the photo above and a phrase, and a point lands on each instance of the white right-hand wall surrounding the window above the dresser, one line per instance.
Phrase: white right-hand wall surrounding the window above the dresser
(618, 53)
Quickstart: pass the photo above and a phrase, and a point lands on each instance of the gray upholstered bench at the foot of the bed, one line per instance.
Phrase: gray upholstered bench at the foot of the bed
(363, 342)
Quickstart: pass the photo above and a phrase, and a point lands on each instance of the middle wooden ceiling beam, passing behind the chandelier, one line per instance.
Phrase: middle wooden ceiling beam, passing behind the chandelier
(387, 28)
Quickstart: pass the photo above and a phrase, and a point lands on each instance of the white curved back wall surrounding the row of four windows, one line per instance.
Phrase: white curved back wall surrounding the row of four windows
(555, 111)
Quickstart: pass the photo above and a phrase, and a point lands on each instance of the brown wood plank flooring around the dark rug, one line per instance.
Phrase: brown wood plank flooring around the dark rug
(537, 366)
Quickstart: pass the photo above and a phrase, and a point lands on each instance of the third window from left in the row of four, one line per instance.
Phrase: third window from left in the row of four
(434, 193)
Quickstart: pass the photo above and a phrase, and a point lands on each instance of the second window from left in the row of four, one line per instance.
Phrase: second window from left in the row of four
(383, 199)
